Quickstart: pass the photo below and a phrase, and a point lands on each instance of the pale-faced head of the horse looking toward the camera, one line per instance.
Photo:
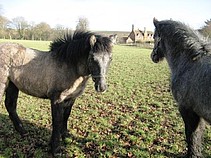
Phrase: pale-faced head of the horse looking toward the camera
(99, 61)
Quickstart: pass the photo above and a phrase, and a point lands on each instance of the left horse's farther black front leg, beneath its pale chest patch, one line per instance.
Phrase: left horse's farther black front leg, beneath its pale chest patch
(67, 110)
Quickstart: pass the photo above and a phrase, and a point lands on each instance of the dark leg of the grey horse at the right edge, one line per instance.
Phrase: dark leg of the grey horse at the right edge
(194, 127)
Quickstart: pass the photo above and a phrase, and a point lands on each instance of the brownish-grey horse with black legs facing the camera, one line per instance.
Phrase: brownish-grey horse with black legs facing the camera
(59, 75)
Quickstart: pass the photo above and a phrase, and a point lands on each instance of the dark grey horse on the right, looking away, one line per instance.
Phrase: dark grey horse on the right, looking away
(189, 57)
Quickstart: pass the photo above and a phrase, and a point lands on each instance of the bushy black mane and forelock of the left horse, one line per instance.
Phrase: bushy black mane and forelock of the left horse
(75, 46)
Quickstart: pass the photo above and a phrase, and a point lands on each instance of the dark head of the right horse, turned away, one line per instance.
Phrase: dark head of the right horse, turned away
(158, 52)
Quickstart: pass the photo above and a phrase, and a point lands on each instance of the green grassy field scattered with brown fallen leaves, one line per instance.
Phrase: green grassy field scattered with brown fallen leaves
(135, 118)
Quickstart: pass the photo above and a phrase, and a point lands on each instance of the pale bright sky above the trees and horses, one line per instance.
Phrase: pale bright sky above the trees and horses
(110, 15)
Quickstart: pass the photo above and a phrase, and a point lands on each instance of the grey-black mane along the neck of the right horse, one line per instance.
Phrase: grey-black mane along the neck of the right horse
(183, 37)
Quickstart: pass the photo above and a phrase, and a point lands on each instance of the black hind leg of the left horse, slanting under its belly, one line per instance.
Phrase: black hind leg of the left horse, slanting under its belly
(11, 104)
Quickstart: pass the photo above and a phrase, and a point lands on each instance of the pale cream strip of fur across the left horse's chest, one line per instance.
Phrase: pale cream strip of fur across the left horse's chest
(74, 90)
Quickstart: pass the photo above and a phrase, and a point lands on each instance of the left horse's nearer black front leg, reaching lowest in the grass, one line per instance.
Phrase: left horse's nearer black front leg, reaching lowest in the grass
(57, 120)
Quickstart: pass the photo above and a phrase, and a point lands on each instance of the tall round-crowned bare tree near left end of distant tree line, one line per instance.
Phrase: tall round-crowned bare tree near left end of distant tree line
(21, 25)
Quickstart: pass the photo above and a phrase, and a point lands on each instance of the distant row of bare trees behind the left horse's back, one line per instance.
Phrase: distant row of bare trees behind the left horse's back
(19, 28)
